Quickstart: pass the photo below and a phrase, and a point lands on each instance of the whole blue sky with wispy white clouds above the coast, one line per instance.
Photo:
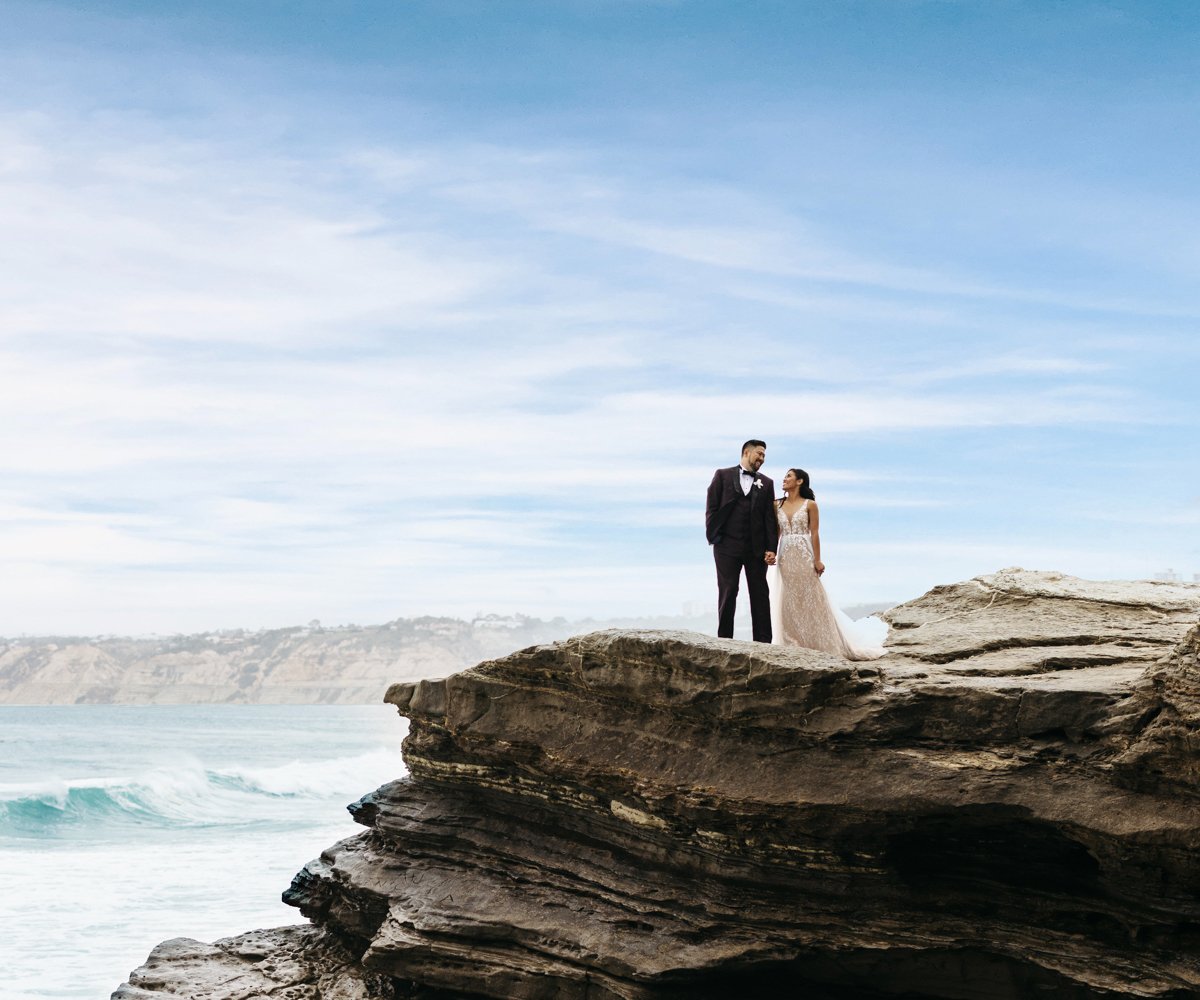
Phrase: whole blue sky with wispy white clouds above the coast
(393, 308)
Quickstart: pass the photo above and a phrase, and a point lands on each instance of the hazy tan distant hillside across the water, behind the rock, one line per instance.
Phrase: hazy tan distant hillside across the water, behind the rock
(303, 666)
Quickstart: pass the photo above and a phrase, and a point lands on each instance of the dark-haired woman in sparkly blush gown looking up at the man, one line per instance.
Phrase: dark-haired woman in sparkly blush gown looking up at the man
(801, 608)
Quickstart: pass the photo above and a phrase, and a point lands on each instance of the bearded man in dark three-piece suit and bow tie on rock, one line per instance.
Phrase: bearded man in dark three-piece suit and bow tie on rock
(743, 531)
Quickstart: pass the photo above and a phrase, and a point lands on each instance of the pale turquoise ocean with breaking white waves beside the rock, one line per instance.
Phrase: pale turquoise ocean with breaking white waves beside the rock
(122, 827)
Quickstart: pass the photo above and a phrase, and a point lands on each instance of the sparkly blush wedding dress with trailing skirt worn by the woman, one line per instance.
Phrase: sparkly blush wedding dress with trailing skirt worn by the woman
(801, 610)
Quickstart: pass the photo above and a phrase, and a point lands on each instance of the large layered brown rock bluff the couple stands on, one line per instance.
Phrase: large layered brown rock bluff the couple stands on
(1006, 806)
